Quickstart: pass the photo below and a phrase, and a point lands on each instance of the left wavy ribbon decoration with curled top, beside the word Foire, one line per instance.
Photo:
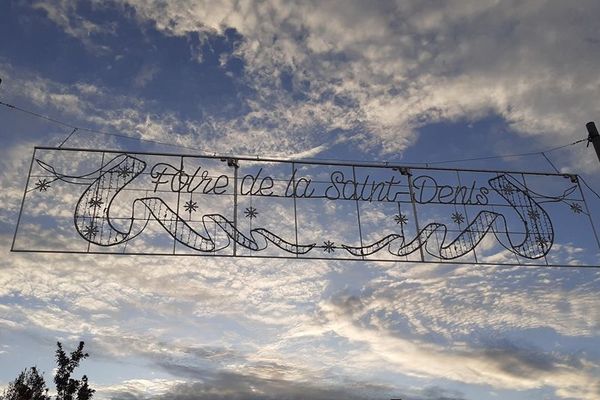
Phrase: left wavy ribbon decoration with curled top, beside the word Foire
(98, 228)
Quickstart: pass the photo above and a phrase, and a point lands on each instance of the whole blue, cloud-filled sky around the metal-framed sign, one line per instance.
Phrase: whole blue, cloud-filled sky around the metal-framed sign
(405, 82)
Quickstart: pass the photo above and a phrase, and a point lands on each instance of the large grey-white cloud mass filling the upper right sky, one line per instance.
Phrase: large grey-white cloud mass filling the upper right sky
(391, 69)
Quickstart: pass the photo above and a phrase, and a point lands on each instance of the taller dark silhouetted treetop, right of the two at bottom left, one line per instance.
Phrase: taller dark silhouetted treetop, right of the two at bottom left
(66, 387)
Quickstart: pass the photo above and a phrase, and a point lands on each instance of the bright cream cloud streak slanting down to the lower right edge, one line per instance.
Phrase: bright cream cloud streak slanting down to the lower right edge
(499, 365)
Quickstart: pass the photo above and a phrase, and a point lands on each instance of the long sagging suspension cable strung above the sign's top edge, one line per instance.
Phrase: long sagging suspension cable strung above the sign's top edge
(123, 136)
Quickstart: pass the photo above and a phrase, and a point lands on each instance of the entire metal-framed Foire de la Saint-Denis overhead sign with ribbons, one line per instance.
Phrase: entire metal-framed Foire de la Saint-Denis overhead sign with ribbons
(96, 201)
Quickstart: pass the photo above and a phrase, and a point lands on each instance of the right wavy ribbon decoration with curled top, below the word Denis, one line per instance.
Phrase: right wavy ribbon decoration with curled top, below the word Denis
(536, 243)
